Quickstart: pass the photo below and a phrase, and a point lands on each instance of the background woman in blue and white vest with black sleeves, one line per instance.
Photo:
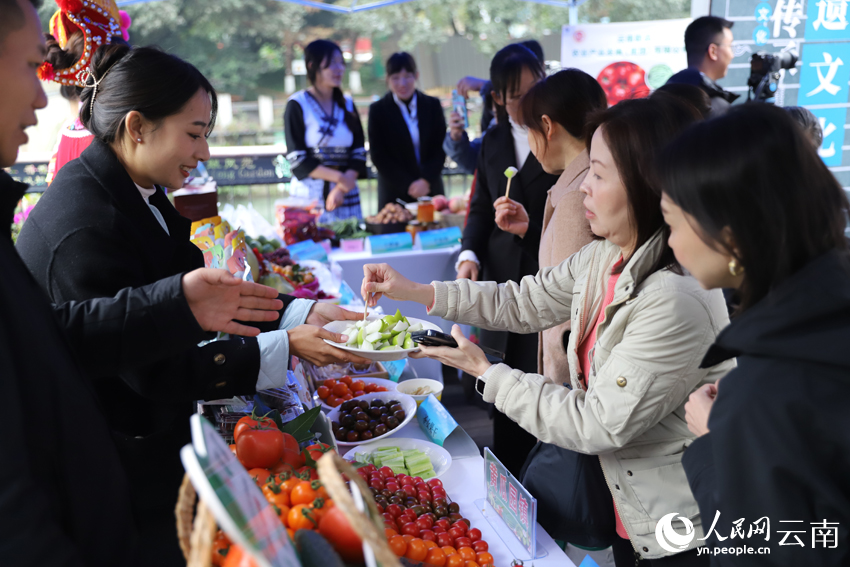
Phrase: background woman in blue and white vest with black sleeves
(324, 137)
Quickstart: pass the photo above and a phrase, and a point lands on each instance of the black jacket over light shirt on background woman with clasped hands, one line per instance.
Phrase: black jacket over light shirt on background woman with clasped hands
(392, 150)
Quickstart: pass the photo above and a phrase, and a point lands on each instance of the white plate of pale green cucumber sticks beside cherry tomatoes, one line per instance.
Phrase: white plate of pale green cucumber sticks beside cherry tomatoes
(413, 457)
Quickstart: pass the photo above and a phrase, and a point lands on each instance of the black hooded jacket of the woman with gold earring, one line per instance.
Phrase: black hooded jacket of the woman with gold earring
(779, 441)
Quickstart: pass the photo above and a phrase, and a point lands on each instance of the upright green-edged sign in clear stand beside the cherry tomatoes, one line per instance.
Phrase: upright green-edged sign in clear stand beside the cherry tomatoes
(511, 501)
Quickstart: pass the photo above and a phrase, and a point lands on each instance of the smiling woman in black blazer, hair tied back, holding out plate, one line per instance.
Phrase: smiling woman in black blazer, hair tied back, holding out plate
(106, 224)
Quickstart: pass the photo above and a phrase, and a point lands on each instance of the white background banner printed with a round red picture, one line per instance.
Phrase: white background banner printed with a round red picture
(628, 59)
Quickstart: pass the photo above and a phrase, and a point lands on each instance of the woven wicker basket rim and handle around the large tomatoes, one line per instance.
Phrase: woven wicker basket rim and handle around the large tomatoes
(196, 526)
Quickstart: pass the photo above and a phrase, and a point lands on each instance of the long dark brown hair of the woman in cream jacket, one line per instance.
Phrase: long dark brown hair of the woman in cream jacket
(636, 131)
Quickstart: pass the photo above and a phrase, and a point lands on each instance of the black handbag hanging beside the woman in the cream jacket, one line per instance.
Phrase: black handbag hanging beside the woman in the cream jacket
(574, 503)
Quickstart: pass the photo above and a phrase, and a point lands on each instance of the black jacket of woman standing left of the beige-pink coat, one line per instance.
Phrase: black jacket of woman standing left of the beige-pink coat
(503, 256)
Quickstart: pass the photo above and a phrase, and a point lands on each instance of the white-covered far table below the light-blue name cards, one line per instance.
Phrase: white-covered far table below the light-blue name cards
(422, 266)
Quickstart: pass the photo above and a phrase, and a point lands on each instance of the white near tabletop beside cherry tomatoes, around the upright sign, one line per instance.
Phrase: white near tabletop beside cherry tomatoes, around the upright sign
(464, 483)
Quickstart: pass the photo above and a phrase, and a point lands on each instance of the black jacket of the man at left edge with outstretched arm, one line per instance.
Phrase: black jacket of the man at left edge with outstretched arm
(64, 496)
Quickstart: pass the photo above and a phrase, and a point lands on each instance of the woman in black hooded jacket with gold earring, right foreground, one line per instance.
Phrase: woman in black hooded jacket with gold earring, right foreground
(751, 206)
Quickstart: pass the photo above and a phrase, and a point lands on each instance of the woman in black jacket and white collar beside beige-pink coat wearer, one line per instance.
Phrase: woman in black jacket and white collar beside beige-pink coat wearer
(490, 254)
